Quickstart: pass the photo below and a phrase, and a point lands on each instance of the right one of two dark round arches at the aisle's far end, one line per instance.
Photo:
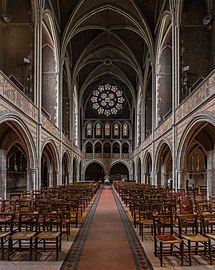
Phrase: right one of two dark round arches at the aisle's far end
(119, 172)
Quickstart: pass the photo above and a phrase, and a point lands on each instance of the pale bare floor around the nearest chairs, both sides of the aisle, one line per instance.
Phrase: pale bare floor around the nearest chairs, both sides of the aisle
(47, 260)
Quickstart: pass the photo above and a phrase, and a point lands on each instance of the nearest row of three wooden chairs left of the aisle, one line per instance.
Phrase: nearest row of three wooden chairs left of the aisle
(30, 234)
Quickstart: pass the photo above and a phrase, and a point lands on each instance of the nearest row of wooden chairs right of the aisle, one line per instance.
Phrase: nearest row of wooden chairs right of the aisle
(185, 236)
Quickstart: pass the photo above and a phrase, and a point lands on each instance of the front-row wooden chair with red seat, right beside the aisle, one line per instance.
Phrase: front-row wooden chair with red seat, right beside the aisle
(165, 241)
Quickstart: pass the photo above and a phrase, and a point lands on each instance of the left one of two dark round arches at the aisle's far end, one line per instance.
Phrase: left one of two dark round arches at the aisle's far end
(94, 172)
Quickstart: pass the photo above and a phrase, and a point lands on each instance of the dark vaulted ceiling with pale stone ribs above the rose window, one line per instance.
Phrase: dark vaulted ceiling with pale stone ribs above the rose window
(108, 40)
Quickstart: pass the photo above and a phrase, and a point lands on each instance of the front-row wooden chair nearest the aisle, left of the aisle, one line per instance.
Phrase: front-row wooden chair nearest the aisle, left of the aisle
(51, 236)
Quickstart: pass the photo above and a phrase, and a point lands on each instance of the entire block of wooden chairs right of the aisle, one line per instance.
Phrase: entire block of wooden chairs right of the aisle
(181, 224)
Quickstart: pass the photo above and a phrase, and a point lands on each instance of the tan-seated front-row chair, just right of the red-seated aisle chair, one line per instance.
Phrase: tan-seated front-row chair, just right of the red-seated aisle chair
(189, 233)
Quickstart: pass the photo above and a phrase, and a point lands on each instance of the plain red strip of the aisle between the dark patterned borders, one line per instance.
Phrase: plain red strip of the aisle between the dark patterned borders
(106, 246)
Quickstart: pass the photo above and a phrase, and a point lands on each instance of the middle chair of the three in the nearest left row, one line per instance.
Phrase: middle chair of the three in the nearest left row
(25, 236)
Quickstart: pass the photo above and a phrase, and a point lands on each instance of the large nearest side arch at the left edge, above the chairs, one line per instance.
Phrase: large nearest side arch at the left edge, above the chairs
(17, 157)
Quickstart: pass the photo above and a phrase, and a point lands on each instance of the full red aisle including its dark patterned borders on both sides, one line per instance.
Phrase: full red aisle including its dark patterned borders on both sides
(106, 239)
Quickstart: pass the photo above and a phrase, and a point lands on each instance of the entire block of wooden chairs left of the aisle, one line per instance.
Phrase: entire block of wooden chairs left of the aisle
(36, 222)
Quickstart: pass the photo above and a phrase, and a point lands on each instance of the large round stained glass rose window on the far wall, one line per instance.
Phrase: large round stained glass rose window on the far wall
(107, 99)
